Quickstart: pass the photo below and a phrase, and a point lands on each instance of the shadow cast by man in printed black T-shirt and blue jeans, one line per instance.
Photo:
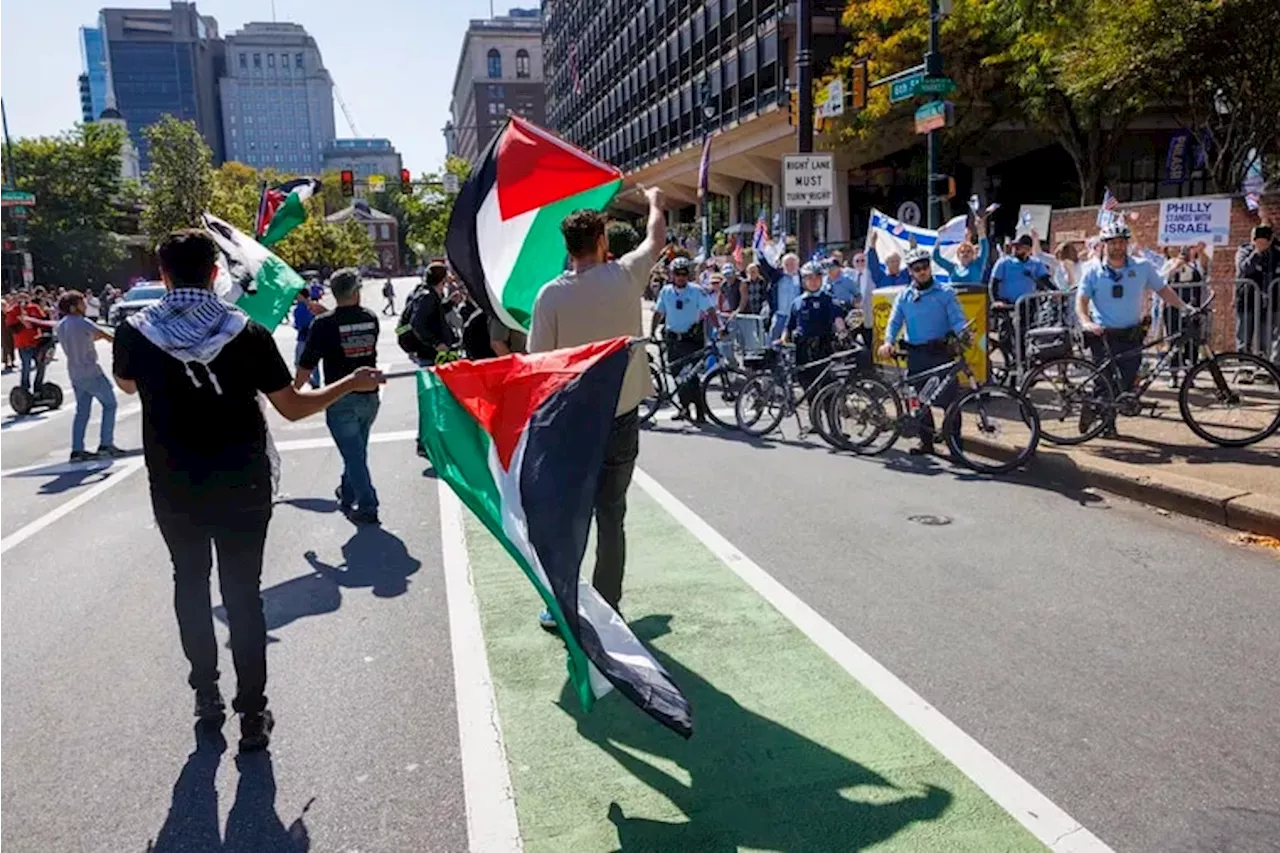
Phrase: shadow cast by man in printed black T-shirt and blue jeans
(373, 559)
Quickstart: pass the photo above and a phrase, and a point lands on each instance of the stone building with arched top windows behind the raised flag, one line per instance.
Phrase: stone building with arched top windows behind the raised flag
(500, 72)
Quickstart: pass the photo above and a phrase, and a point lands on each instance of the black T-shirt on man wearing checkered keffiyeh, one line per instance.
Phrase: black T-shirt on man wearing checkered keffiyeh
(205, 450)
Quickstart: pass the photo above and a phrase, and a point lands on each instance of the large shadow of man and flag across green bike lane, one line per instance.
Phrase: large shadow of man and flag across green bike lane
(755, 784)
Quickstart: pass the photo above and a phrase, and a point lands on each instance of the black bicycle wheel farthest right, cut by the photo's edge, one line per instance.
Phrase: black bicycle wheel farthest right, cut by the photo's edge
(1227, 412)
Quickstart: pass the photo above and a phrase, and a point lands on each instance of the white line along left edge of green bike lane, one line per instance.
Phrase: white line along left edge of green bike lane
(492, 825)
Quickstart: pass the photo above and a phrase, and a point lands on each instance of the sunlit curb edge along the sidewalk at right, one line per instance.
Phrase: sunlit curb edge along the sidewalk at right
(1223, 505)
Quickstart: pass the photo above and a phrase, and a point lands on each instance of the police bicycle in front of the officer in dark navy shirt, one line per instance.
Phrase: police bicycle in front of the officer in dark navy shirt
(770, 395)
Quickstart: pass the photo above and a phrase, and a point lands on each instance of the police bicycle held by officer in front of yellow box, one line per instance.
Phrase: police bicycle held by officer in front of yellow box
(993, 430)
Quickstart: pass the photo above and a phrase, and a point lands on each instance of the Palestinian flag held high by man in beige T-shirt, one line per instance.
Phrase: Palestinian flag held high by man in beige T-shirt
(504, 239)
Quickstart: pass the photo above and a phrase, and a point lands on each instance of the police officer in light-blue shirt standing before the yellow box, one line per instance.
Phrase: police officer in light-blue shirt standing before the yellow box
(932, 317)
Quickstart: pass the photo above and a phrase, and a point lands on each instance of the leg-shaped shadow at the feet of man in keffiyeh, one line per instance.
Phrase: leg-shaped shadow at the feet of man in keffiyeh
(253, 825)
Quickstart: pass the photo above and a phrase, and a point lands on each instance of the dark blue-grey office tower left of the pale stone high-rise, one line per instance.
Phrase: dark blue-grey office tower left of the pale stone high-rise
(163, 62)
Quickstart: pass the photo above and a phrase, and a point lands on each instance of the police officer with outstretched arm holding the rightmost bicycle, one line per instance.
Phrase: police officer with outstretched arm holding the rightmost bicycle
(1112, 308)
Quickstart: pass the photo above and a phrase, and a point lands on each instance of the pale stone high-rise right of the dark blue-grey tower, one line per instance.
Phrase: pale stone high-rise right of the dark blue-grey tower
(277, 99)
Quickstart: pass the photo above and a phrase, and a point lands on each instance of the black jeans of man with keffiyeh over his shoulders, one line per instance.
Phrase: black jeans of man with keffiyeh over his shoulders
(241, 540)
